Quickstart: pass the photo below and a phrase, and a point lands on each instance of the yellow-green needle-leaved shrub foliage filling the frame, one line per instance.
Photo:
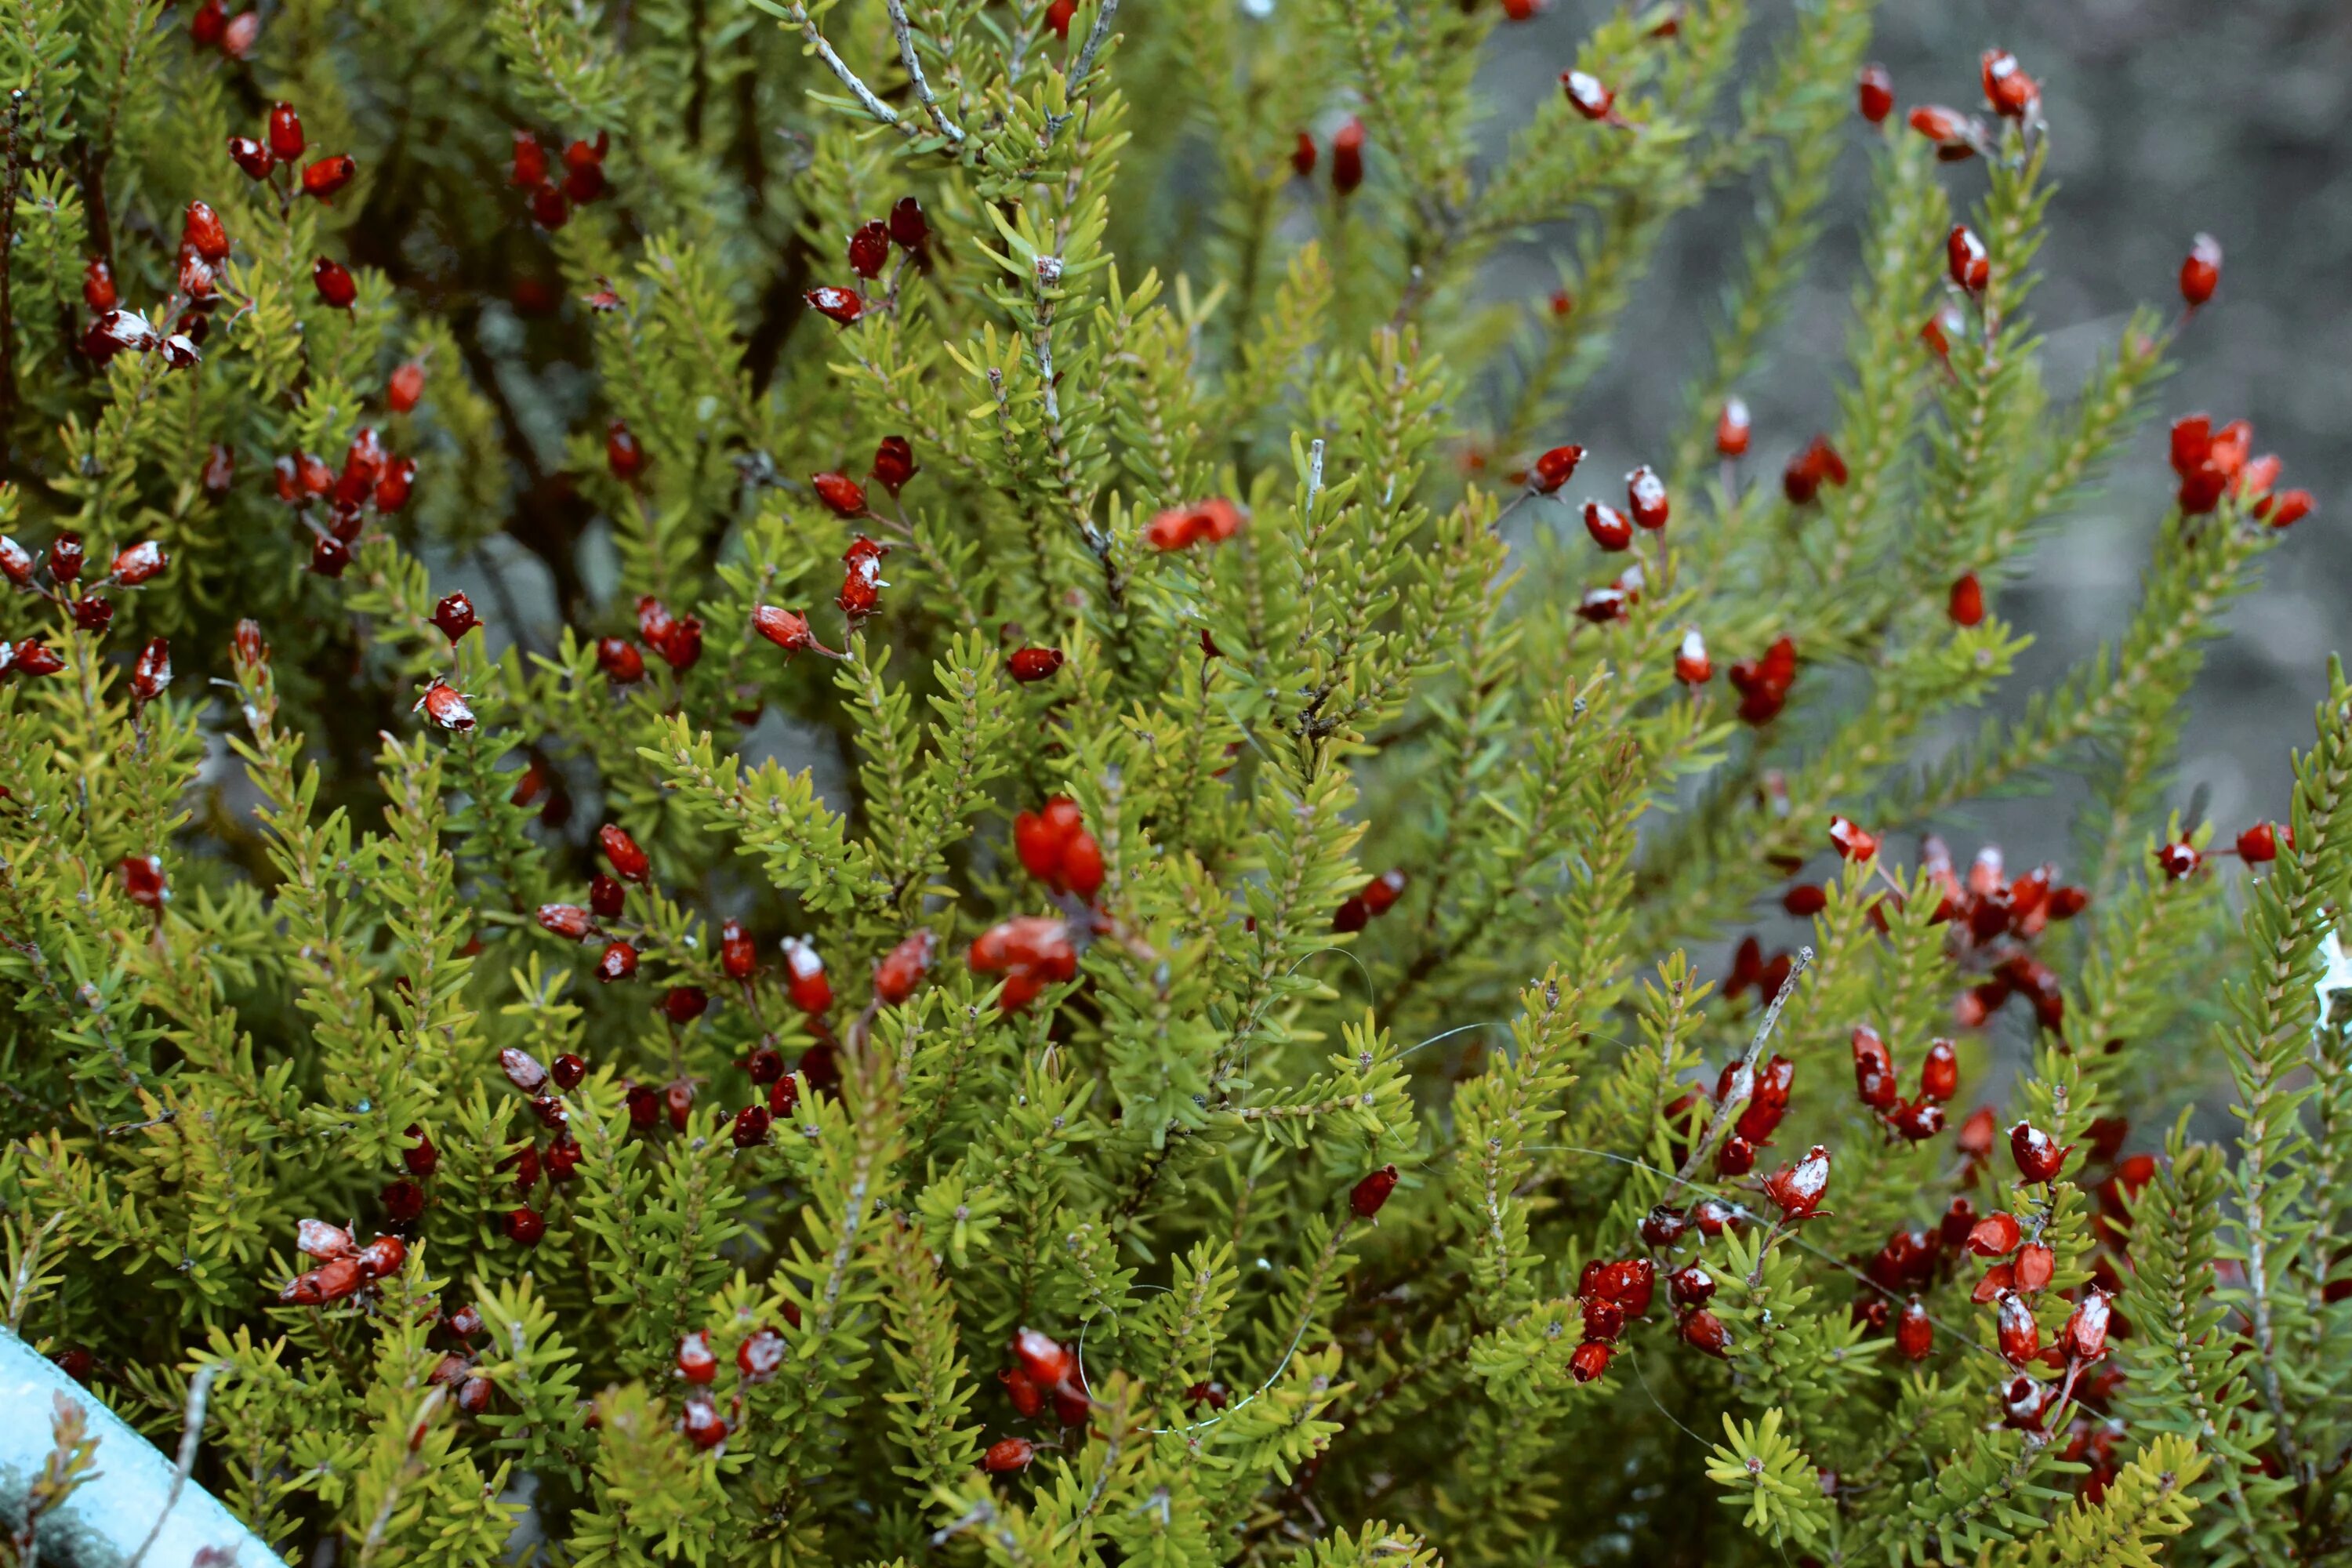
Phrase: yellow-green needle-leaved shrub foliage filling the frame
(1203, 540)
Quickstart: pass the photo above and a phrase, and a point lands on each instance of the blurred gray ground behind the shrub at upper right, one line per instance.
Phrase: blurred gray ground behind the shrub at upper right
(2167, 119)
